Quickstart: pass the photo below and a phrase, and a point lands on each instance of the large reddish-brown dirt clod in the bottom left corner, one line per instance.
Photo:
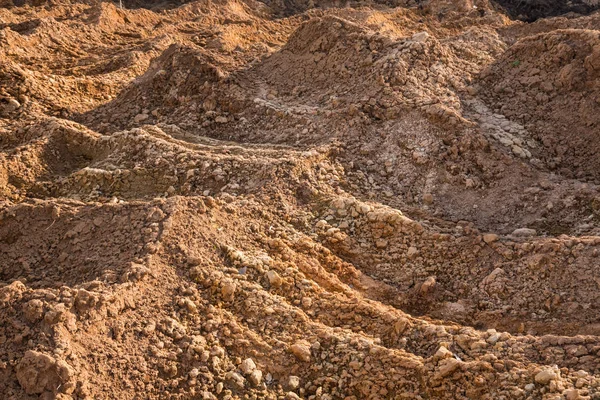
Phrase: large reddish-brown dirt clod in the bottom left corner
(38, 372)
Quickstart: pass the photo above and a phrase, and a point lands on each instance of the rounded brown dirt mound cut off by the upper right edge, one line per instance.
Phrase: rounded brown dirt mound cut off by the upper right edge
(550, 83)
